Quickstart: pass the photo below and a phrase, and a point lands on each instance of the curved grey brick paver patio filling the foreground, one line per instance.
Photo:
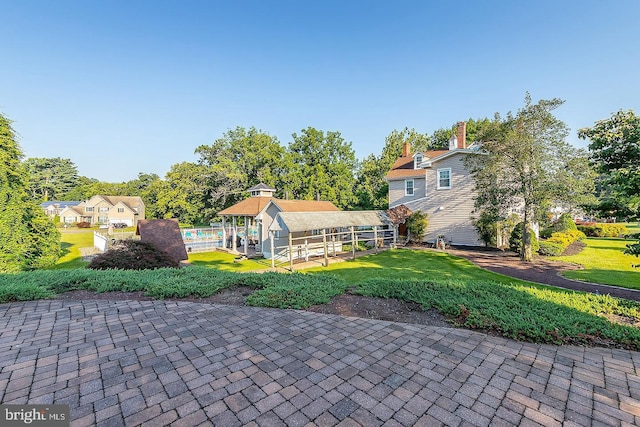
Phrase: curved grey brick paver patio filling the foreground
(158, 363)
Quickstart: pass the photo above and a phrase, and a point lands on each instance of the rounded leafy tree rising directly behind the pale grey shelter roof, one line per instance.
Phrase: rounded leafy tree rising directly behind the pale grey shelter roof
(321, 165)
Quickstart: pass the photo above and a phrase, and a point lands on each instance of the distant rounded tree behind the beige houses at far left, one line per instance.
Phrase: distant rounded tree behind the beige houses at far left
(51, 178)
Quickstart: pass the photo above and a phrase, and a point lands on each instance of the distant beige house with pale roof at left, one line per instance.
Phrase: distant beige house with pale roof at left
(106, 210)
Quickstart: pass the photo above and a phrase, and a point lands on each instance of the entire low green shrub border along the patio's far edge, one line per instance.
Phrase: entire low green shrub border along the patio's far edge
(524, 312)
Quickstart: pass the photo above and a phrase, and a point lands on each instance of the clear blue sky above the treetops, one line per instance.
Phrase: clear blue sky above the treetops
(122, 87)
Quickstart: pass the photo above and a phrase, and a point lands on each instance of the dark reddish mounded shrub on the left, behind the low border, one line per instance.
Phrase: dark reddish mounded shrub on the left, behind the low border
(133, 255)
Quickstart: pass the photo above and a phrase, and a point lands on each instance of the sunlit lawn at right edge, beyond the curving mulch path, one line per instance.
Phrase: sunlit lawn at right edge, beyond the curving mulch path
(604, 262)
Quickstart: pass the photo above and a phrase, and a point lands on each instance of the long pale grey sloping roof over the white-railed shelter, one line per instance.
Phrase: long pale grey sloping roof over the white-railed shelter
(304, 221)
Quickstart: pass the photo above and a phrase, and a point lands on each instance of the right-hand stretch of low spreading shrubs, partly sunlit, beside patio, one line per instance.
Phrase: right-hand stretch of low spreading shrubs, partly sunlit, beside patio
(522, 312)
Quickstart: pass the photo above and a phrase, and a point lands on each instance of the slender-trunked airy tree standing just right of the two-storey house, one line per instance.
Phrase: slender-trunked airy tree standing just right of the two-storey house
(522, 156)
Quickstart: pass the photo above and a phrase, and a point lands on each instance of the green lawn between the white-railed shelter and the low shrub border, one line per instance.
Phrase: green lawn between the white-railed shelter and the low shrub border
(411, 265)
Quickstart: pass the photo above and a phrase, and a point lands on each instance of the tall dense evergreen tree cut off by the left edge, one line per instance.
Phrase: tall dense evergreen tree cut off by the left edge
(28, 238)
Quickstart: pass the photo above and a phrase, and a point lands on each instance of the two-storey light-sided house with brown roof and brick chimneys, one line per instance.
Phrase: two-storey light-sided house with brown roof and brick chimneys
(438, 184)
